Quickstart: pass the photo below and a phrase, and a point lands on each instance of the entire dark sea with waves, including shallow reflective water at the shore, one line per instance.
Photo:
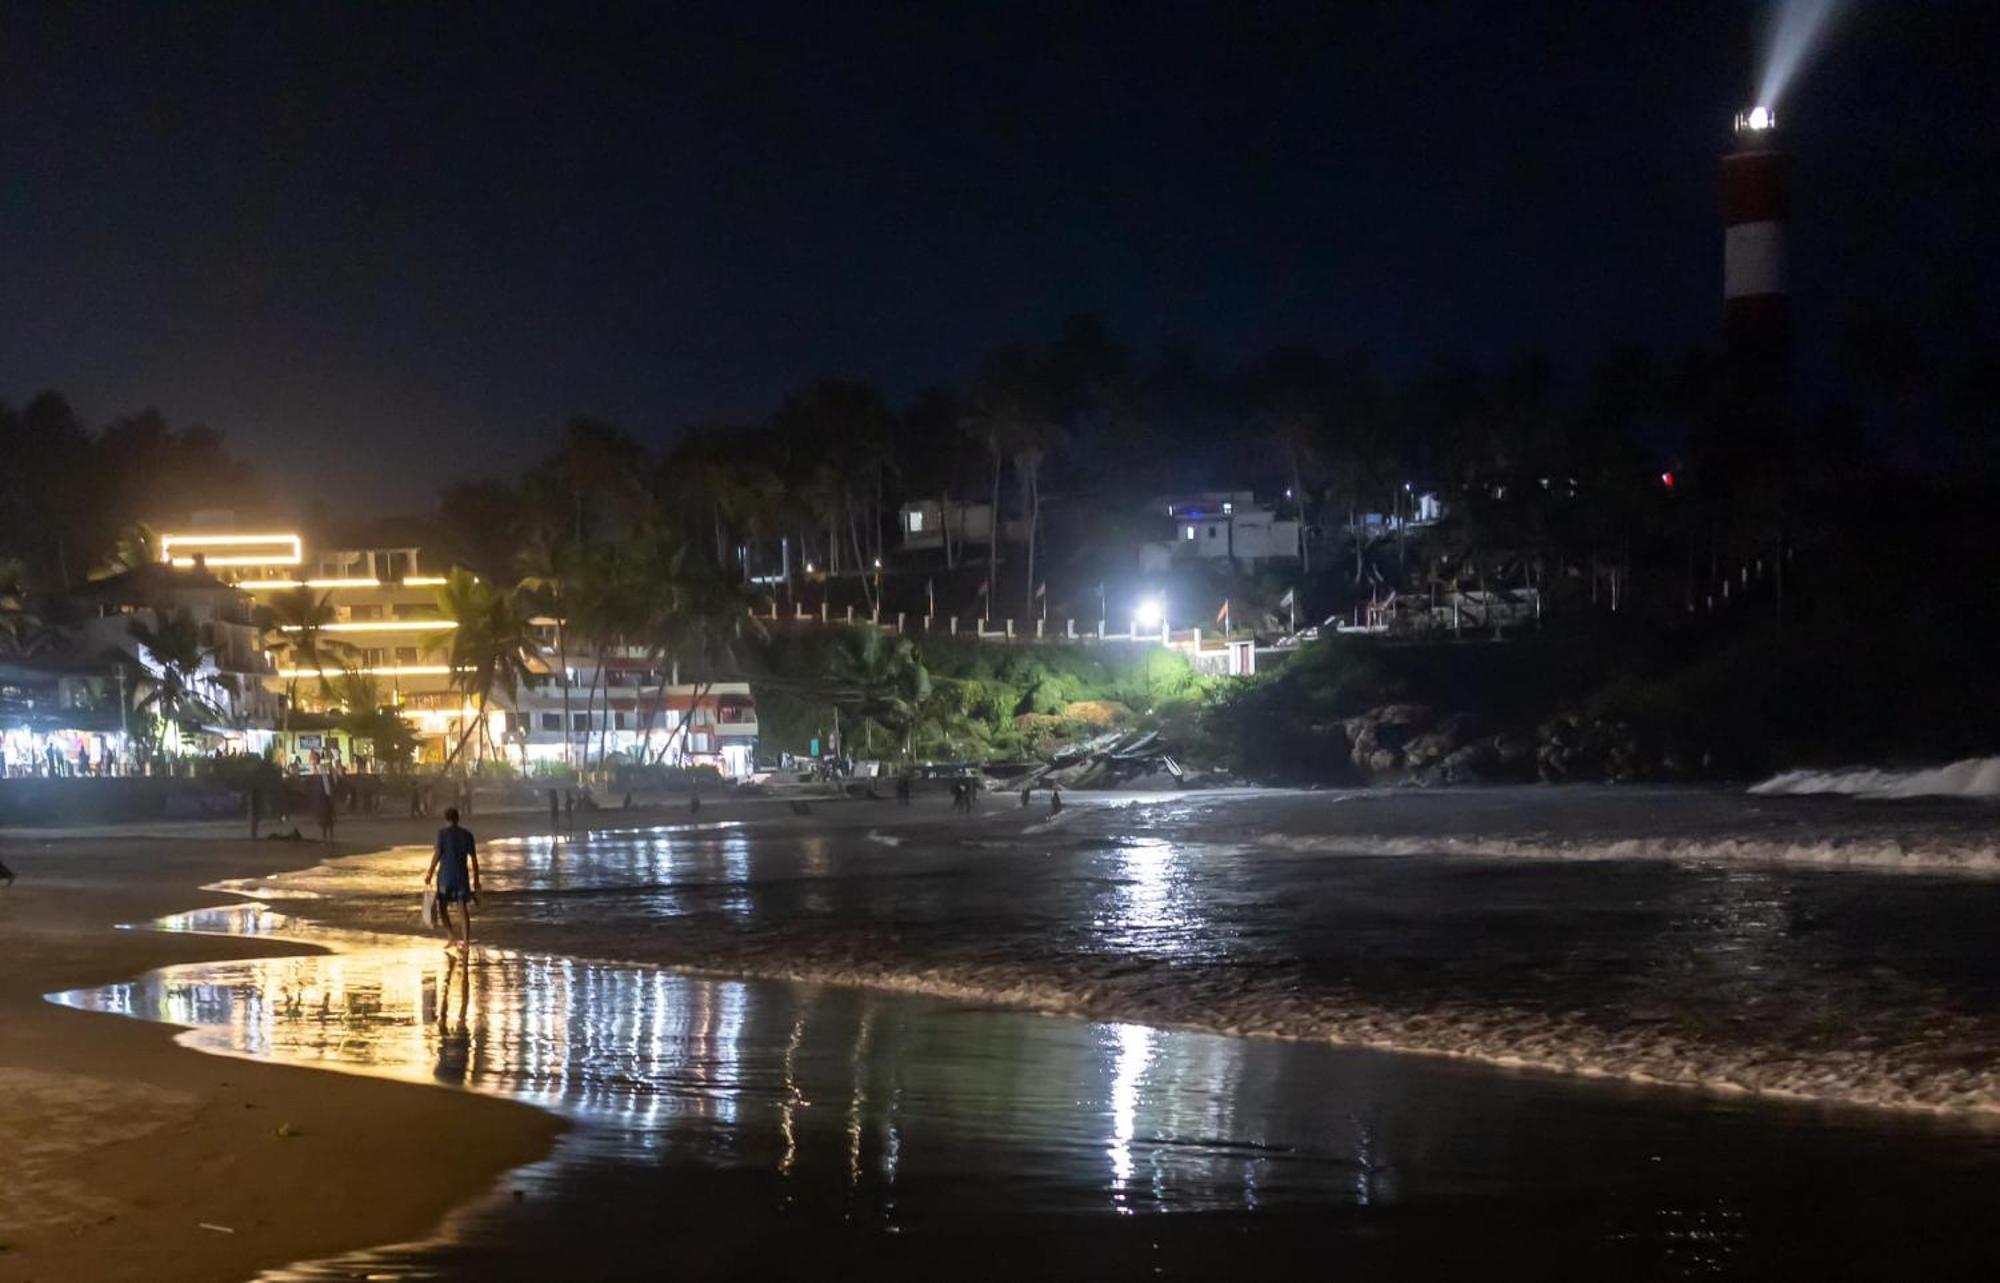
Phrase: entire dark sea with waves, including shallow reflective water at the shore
(1579, 1032)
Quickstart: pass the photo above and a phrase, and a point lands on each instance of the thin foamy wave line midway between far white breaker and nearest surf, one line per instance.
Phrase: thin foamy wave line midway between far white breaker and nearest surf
(1873, 854)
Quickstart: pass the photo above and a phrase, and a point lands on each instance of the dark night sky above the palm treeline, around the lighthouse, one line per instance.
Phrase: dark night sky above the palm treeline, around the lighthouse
(387, 245)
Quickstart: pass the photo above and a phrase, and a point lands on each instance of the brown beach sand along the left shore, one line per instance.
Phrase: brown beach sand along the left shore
(121, 1150)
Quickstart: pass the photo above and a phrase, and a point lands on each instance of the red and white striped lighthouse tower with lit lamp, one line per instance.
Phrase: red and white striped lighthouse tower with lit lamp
(1757, 209)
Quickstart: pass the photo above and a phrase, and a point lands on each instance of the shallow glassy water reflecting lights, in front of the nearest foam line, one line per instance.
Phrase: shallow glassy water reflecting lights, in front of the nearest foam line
(771, 1130)
